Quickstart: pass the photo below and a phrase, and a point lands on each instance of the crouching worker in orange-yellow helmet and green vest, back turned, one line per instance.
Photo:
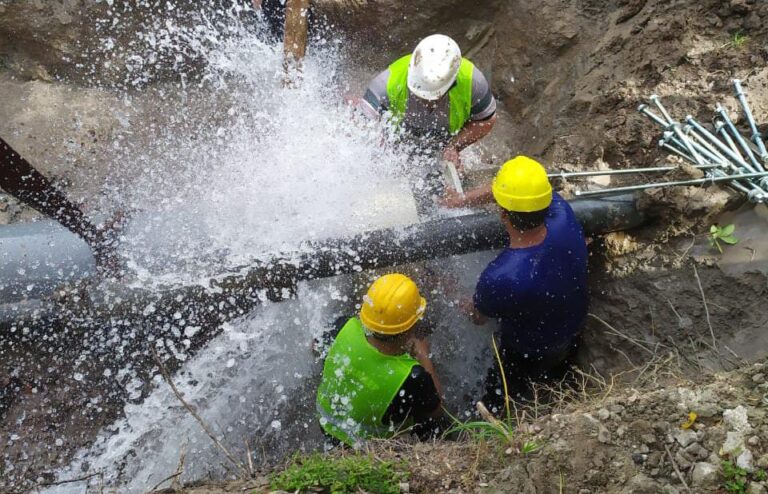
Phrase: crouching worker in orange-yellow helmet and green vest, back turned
(378, 379)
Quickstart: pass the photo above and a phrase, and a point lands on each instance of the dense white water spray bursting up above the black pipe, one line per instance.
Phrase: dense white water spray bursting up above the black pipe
(269, 167)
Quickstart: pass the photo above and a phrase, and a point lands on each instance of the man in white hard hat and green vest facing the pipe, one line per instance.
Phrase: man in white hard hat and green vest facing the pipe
(436, 96)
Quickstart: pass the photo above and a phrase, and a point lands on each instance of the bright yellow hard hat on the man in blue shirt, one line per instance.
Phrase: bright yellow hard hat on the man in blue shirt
(522, 186)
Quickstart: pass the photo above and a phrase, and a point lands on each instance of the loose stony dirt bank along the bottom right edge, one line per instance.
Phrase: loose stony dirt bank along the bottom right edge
(614, 441)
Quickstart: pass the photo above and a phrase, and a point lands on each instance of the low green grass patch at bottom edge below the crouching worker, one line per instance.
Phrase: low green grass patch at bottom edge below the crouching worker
(348, 474)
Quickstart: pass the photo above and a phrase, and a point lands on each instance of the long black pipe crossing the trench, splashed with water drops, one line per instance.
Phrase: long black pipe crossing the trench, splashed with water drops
(159, 319)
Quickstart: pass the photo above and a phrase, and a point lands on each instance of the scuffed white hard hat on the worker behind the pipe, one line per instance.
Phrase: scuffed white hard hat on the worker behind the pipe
(434, 66)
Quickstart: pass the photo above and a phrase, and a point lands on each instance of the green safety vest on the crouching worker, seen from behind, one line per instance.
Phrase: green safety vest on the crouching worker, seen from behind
(358, 385)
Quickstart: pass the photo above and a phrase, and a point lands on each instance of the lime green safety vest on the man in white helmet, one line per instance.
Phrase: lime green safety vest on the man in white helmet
(460, 95)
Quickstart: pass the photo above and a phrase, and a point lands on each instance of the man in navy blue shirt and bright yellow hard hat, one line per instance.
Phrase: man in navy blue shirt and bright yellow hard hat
(536, 287)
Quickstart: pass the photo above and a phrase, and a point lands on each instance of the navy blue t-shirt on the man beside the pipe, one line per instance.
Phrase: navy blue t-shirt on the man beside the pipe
(539, 293)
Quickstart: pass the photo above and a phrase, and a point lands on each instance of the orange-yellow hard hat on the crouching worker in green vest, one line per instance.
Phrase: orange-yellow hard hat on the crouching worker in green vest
(393, 305)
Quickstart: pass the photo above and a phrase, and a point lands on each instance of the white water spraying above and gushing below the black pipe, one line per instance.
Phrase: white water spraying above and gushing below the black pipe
(243, 166)
